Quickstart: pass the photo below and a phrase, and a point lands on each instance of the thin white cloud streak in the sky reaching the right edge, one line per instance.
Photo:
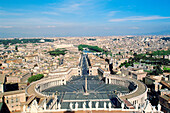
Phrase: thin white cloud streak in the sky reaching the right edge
(136, 18)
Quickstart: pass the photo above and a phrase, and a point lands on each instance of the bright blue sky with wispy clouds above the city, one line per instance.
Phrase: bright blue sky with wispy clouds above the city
(83, 17)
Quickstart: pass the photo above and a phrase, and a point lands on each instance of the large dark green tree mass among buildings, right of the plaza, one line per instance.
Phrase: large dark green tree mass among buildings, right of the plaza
(148, 59)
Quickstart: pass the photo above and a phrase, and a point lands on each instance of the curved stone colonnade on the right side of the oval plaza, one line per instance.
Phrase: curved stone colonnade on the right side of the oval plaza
(138, 93)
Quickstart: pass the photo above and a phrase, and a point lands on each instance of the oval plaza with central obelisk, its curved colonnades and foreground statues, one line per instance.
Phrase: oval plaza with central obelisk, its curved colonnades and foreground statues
(87, 87)
